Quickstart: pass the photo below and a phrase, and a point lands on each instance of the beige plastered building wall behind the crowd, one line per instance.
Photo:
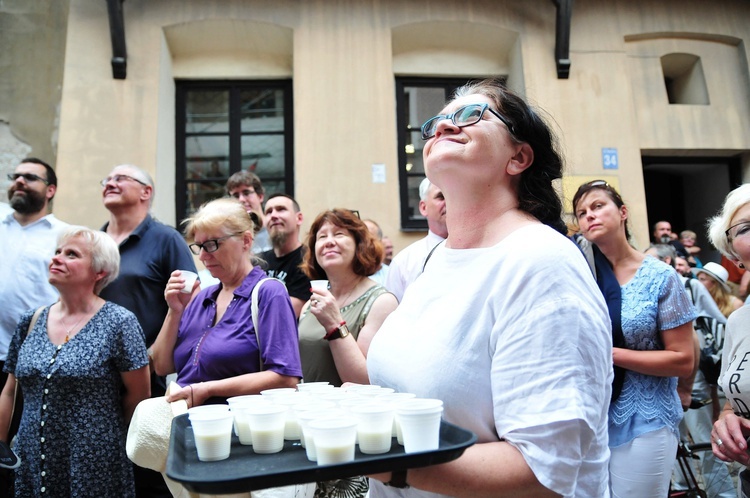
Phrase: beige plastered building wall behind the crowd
(343, 57)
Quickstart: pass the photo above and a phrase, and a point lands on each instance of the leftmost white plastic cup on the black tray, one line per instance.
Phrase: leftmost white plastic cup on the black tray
(212, 429)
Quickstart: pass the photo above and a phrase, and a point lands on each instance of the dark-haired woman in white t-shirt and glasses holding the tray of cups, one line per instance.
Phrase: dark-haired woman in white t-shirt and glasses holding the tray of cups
(506, 324)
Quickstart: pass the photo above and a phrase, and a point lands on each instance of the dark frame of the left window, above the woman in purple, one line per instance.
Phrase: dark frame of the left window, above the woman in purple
(235, 133)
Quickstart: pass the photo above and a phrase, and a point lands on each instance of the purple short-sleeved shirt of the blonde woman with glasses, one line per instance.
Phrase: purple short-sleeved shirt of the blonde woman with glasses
(206, 351)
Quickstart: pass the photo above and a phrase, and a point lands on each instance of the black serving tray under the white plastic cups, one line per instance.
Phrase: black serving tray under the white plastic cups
(246, 471)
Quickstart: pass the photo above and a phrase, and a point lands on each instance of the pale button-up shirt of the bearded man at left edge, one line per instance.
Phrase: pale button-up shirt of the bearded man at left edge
(24, 270)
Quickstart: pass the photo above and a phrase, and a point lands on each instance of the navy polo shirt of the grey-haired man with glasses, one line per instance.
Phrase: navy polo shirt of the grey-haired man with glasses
(148, 256)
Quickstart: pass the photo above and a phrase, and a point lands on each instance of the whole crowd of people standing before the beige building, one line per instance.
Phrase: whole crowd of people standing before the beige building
(579, 372)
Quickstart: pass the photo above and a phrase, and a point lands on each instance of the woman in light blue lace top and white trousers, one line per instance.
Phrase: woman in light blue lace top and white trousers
(656, 318)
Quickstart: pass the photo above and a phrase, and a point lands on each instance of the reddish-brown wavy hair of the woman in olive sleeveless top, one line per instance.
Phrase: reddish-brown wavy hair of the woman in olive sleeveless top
(367, 254)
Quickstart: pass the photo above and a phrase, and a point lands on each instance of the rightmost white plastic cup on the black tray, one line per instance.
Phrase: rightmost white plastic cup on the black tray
(419, 420)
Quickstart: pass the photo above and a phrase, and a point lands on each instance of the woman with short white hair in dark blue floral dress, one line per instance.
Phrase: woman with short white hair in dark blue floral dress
(82, 368)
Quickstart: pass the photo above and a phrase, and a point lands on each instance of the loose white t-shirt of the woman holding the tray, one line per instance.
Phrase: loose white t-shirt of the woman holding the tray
(516, 341)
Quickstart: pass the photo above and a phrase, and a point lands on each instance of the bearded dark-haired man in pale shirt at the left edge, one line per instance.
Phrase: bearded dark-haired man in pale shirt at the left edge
(28, 232)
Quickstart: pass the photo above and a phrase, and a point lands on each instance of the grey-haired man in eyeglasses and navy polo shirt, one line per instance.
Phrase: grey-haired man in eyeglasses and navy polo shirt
(149, 252)
